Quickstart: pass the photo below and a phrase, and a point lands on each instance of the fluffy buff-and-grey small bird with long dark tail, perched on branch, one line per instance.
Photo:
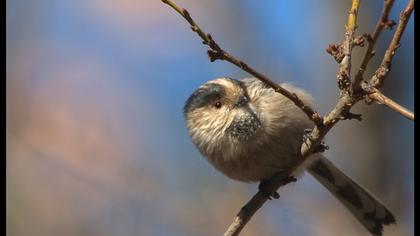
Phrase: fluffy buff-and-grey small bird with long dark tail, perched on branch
(249, 132)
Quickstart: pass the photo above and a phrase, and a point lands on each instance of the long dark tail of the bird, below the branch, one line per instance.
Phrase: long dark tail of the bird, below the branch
(363, 205)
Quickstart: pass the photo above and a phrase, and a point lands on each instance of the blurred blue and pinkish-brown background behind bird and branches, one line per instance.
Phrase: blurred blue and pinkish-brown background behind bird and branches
(96, 142)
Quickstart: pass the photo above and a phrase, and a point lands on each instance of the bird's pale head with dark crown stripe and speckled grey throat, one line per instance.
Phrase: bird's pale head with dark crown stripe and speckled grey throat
(220, 113)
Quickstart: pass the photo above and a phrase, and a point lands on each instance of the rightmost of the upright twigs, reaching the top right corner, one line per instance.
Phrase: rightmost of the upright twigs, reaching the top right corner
(378, 79)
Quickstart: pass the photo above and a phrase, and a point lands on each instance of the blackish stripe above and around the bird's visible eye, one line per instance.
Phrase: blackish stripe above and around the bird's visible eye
(204, 96)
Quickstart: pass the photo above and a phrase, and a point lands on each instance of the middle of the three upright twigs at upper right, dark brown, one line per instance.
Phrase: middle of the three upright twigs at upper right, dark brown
(371, 39)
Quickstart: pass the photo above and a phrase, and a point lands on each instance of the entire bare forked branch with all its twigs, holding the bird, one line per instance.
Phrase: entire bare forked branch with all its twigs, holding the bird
(339, 112)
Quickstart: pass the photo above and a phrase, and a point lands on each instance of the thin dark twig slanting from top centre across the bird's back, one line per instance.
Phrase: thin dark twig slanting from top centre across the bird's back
(217, 53)
